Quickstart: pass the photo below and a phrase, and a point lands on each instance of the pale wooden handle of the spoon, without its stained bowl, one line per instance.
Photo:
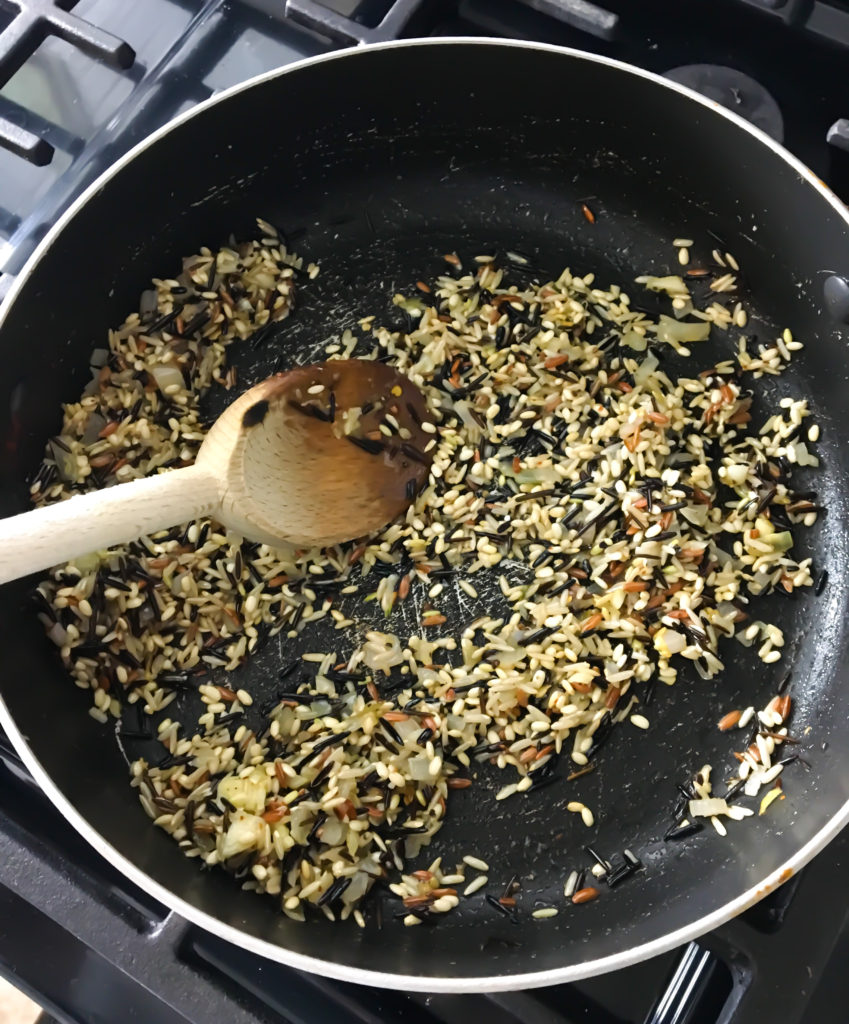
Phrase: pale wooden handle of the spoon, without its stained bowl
(97, 521)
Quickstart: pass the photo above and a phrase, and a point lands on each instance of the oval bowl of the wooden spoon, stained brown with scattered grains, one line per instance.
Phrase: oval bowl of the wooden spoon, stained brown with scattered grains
(321, 454)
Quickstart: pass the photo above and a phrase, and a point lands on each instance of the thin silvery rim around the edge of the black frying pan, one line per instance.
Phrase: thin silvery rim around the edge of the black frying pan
(332, 969)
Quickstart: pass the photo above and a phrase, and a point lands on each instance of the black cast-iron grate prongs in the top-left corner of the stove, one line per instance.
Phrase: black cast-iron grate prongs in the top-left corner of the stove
(32, 22)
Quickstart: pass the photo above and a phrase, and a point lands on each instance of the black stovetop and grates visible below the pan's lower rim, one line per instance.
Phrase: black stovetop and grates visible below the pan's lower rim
(62, 905)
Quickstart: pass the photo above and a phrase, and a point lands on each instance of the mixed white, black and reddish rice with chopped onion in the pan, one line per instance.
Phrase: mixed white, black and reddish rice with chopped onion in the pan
(563, 452)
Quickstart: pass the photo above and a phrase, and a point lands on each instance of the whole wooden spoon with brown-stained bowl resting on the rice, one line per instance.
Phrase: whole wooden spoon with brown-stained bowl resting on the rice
(300, 459)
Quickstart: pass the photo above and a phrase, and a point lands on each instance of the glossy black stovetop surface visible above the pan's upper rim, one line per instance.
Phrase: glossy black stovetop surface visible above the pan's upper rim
(179, 53)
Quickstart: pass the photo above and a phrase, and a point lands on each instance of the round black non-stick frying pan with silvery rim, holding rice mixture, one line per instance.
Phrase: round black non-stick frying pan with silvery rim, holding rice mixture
(376, 162)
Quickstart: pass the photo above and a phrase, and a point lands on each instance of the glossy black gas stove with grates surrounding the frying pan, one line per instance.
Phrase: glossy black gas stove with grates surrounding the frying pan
(80, 83)
